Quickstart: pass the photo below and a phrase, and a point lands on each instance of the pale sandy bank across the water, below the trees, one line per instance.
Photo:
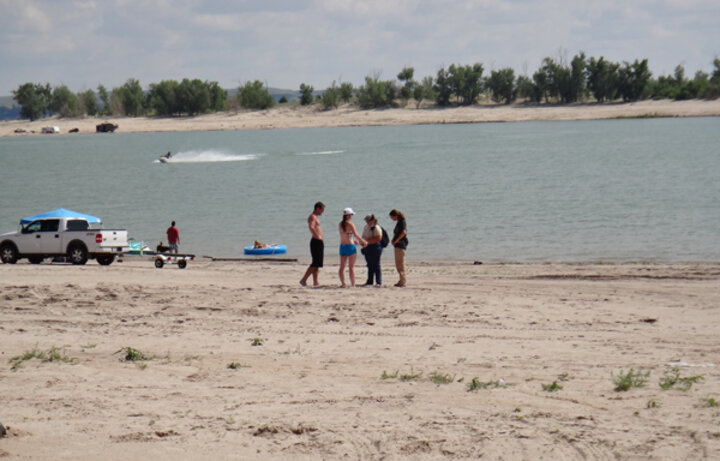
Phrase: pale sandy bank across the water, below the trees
(313, 117)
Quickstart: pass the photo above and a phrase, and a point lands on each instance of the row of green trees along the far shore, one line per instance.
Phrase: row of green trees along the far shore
(556, 81)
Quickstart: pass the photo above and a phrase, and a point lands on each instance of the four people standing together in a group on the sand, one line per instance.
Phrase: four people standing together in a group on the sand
(370, 240)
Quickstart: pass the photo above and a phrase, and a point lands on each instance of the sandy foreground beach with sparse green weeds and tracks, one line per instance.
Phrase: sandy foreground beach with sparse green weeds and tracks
(491, 361)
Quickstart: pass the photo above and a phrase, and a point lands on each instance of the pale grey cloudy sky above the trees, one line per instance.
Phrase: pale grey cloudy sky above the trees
(83, 43)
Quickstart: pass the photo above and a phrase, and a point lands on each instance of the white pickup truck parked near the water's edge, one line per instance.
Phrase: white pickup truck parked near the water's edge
(69, 237)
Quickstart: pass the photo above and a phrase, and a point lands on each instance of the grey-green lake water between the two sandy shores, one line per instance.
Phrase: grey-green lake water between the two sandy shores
(615, 190)
